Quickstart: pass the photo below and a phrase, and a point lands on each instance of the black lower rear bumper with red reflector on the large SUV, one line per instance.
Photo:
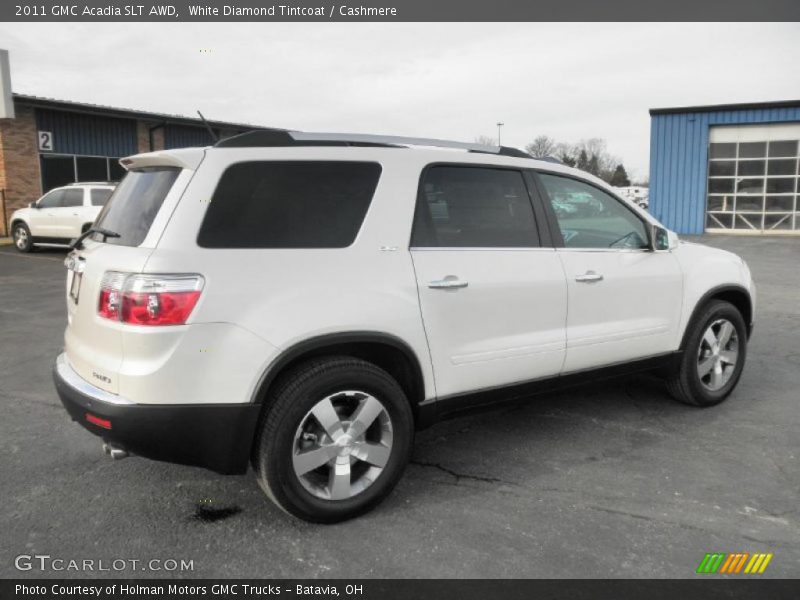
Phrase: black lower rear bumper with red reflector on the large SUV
(214, 436)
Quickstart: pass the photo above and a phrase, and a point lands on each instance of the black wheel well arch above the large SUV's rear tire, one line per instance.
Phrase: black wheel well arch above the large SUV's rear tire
(394, 358)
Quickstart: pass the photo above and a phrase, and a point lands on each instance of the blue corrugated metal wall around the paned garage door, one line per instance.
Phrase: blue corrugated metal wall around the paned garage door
(679, 161)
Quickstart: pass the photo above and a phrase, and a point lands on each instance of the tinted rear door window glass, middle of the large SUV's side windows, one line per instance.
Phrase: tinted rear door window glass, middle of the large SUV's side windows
(474, 207)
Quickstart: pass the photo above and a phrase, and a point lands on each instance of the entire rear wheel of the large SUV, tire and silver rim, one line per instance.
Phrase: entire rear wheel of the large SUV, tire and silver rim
(357, 466)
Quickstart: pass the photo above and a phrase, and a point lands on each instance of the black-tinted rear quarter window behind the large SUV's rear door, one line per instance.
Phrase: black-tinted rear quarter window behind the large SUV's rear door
(303, 204)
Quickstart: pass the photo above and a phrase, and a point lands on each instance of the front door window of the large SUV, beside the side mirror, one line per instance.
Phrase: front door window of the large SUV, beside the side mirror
(591, 218)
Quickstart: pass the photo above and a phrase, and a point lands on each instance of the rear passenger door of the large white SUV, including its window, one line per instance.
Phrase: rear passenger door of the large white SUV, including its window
(493, 299)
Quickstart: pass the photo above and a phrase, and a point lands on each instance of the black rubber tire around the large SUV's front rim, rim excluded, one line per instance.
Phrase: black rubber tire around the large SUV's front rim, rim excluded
(717, 310)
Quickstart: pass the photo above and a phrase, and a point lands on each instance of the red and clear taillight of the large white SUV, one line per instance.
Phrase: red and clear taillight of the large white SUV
(149, 299)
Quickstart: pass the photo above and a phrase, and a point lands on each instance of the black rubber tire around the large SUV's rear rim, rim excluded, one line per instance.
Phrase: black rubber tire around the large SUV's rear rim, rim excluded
(281, 478)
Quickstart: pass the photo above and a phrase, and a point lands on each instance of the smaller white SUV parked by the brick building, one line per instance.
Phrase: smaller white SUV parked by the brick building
(59, 216)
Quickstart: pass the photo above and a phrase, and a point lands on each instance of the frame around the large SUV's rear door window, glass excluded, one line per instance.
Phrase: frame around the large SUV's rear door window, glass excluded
(539, 216)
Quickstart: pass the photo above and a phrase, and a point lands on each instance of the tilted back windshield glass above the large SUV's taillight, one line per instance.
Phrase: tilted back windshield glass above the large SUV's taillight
(134, 205)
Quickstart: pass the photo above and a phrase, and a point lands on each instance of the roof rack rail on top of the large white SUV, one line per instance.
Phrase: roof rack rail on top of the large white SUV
(282, 137)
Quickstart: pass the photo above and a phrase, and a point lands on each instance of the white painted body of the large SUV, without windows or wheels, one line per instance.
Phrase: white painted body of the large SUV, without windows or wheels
(521, 317)
